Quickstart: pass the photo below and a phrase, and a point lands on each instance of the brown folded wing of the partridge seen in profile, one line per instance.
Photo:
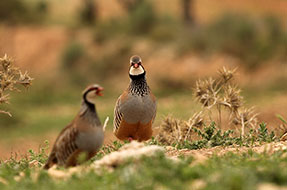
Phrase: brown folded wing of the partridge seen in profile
(64, 147)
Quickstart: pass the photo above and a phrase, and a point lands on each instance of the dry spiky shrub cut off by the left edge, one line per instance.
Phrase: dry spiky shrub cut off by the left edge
(10, 78)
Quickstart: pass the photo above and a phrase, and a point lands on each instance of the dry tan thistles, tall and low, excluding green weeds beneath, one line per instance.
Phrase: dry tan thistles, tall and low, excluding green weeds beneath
(216, 96)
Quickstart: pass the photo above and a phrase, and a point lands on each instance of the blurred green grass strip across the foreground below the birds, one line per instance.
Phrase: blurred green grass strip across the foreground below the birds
(231, 171)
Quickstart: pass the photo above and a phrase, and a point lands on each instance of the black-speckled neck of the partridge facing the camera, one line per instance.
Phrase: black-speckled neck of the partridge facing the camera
(138, 85)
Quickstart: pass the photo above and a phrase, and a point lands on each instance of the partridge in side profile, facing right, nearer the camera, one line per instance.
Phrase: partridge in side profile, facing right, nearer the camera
(84, 135)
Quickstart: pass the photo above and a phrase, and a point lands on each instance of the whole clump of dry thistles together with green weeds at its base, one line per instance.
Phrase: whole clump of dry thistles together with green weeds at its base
(204, 128)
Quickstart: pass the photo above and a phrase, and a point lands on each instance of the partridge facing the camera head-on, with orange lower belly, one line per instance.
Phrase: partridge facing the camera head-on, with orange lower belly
(135, 109)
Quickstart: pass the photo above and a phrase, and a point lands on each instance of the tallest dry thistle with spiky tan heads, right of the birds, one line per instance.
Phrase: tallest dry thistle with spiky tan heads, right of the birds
(222, 94)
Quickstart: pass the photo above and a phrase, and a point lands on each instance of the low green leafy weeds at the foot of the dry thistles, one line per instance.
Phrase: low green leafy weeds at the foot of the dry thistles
(211, 136)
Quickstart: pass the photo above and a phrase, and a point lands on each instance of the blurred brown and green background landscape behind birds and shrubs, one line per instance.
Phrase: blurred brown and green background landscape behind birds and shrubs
(66, 45)
